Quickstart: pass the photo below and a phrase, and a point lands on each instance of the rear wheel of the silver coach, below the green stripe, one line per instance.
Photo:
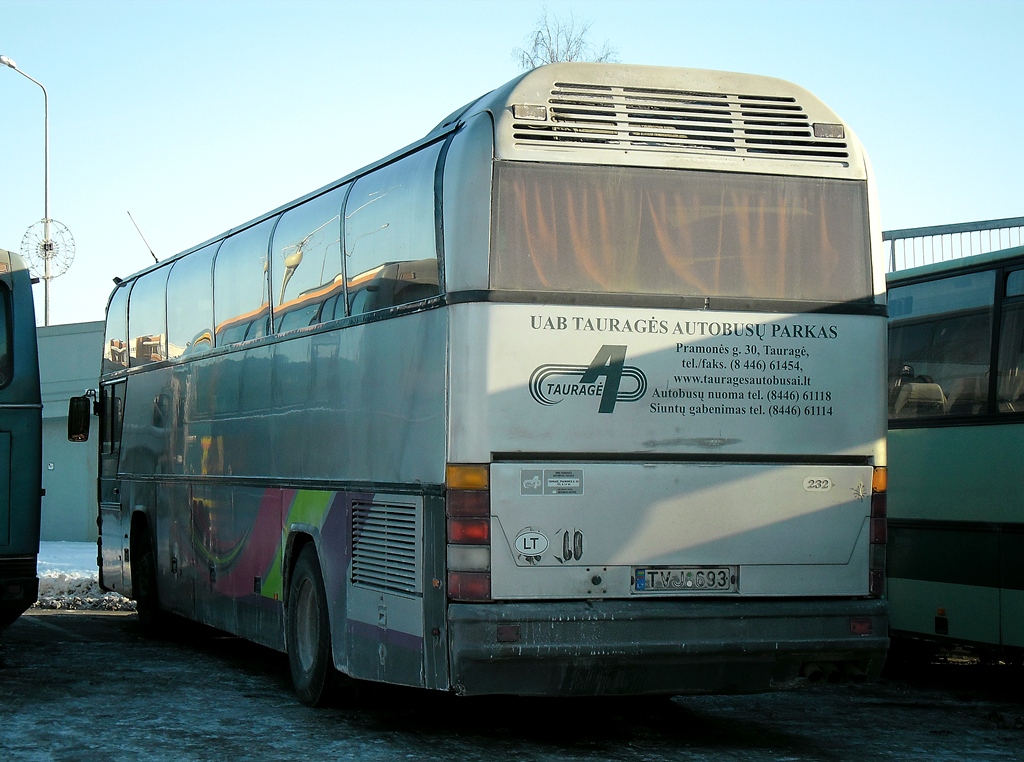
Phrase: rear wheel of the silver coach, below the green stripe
(310, 631)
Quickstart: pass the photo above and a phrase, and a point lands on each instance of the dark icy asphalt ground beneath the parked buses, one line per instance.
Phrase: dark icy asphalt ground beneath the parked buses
(89, 686)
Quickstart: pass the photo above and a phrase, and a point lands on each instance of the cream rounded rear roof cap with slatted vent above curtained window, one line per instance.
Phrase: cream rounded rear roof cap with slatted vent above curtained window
(658, 116)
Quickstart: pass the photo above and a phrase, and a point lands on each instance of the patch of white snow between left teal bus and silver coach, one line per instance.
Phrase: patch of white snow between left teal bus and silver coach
(69, 579)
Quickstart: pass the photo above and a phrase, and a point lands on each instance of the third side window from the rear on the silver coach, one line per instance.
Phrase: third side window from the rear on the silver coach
(241, 285)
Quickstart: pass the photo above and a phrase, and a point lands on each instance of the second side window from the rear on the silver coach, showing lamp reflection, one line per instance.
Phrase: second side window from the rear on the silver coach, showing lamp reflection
(307, 263)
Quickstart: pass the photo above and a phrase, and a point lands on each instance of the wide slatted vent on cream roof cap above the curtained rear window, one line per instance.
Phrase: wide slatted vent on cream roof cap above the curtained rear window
(650, 119)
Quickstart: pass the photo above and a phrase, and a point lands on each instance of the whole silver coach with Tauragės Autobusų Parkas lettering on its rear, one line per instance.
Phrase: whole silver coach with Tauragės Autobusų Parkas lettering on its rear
(583, 394)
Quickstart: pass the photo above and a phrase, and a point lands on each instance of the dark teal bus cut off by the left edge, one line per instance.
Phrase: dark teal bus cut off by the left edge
(21, 441)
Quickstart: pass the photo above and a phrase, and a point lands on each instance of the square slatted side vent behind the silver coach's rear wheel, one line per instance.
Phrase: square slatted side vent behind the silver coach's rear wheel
(387, 546)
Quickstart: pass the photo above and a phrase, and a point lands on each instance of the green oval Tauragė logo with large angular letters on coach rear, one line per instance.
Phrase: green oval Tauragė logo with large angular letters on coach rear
(549, 385)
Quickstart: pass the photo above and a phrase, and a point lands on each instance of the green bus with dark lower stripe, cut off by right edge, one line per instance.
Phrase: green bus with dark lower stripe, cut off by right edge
(956, 551)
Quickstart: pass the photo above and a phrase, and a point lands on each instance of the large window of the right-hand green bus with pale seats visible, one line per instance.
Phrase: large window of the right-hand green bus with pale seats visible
(940, 347)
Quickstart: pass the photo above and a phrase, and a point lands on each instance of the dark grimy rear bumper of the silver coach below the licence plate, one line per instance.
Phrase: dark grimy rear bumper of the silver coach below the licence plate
(662, 648)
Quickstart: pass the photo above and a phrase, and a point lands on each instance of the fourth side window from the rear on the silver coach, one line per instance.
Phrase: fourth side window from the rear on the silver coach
(190, 305)
